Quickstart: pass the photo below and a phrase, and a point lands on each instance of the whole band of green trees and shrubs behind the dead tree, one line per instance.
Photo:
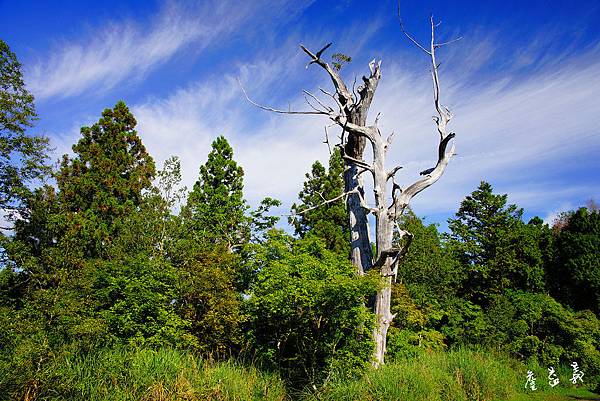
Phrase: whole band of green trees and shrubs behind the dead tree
(101, 261)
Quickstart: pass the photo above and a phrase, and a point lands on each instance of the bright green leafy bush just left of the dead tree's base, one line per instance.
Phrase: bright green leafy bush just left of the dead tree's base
(307, 311)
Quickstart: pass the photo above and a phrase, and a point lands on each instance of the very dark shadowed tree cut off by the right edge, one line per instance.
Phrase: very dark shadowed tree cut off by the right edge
(575, 274)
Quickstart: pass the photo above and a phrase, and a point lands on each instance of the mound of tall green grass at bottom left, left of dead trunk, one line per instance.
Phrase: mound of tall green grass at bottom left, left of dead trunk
(165, 374)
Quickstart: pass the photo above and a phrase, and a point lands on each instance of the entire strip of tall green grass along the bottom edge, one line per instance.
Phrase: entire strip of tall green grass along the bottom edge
(175, 375)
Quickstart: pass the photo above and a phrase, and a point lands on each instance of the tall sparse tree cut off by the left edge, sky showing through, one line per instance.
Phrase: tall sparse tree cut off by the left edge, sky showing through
(22, 157)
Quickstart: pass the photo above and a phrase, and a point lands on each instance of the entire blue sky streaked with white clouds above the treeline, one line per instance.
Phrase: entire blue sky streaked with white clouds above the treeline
(522, 83)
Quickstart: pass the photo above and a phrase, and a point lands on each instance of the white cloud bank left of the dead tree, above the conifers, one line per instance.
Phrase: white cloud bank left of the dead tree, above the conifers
(274, 151)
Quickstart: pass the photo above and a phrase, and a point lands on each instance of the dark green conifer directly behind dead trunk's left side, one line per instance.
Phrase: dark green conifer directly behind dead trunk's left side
(328, 222)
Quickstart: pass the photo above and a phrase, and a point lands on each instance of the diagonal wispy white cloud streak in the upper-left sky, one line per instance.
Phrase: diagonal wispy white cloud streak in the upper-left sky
(125, 51)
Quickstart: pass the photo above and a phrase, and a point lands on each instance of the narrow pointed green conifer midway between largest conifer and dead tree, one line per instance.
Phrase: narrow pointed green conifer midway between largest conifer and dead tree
(215, 209)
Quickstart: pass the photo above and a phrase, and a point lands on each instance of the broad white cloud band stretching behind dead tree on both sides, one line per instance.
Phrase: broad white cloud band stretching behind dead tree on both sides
(512, 129)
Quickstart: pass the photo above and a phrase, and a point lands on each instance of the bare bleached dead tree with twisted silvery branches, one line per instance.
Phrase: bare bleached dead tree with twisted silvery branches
(349, 112)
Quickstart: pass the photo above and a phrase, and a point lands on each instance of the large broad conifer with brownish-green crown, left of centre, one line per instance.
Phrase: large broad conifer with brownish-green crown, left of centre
(105, 180)
